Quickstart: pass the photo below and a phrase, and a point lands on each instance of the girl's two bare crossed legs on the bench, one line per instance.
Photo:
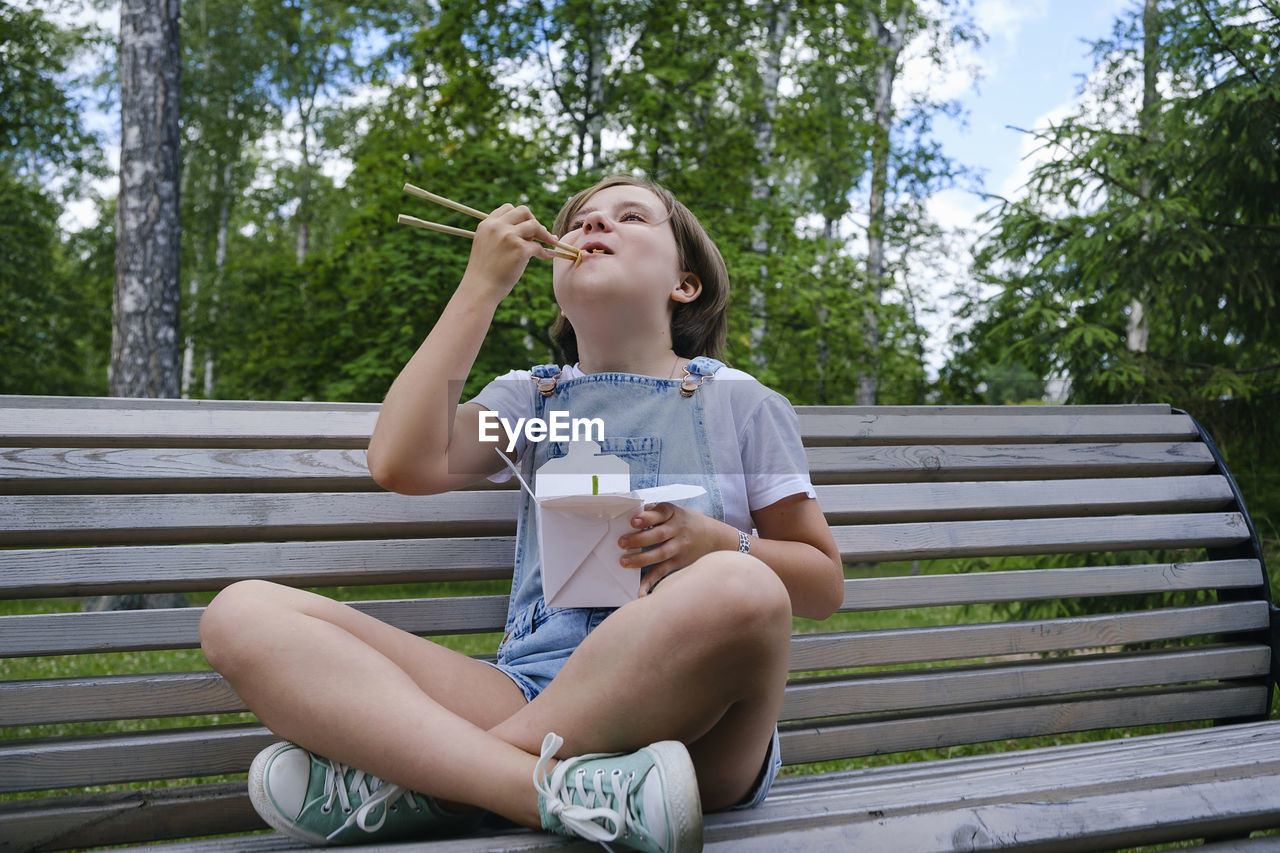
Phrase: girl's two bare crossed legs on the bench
(703, 660)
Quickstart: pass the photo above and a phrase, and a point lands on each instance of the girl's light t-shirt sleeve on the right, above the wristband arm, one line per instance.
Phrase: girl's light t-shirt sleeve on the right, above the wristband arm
(774, 459)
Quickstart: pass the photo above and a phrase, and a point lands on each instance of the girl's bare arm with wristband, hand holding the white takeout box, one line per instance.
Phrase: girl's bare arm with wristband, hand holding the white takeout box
(794, 541)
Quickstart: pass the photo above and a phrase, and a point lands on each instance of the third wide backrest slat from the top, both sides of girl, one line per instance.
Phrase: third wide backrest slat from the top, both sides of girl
(103, 519)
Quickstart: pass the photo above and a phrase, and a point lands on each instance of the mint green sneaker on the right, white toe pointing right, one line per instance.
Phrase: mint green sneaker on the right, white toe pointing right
(644, 801)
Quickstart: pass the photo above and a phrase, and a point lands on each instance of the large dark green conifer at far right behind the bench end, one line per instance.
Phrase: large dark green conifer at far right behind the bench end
(1171, 202)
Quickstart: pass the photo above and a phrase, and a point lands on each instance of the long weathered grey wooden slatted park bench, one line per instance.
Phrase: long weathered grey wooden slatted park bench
(1080, 569)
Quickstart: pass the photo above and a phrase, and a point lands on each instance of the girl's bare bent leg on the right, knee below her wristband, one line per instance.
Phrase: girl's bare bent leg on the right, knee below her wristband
(703, 660)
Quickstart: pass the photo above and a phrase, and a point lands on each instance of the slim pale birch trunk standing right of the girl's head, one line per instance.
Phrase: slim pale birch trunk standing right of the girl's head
(890, 42)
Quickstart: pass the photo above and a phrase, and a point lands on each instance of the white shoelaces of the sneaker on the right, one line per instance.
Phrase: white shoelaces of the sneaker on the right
(601, 801)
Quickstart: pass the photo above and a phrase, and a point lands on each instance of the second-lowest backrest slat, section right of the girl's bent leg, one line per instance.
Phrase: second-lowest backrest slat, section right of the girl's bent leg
(935, 688)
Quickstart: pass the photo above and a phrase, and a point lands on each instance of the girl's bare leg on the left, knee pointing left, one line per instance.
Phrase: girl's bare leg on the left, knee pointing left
(355, 690)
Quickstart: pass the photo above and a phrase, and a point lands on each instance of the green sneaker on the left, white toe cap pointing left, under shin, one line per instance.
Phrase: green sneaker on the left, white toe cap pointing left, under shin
(323, 802)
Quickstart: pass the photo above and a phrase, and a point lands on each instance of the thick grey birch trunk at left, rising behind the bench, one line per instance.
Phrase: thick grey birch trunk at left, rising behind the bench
(145, 350)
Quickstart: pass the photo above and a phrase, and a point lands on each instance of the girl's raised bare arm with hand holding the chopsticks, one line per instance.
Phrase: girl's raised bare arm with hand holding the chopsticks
(424, 443)
